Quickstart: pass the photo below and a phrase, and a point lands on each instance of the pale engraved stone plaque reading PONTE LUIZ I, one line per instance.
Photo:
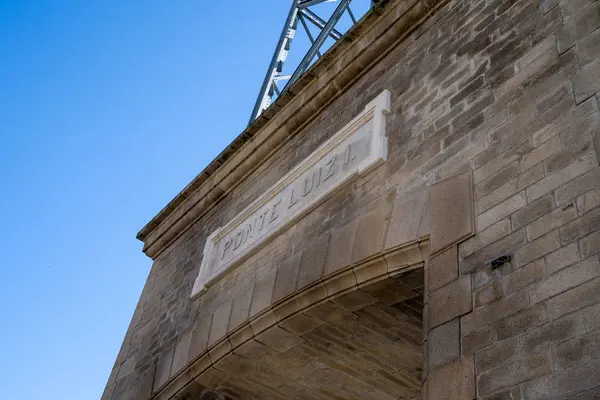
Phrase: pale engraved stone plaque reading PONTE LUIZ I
(359, 146)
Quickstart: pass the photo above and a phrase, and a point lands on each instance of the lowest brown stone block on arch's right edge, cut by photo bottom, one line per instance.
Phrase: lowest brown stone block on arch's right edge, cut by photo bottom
(453, 381)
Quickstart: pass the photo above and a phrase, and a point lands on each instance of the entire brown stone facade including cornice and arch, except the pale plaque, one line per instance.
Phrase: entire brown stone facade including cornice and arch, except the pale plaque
(493, 148)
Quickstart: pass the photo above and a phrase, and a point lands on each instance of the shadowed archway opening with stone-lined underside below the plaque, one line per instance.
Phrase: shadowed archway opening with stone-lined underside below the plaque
(366, 343)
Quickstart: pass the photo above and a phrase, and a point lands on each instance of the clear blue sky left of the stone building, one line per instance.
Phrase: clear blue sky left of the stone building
(107, 110)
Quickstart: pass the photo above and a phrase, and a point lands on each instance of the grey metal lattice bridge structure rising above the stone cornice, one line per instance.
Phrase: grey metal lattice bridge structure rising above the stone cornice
(318, 28)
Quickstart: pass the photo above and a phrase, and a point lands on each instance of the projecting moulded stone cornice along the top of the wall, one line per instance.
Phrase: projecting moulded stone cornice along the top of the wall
(370, 40)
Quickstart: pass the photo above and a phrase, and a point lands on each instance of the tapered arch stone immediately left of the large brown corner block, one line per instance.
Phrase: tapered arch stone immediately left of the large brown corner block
(406, 218)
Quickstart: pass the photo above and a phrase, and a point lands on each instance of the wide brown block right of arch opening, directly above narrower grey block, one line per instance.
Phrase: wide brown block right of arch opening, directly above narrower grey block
(450, 301)
